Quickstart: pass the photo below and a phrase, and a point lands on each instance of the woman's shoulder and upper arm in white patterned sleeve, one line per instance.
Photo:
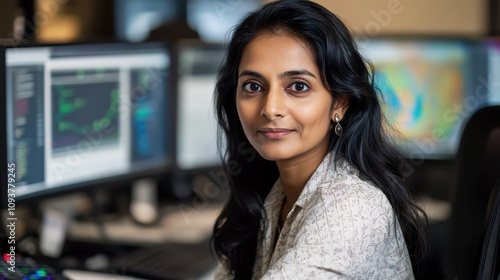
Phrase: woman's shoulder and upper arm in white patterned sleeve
(351, 223)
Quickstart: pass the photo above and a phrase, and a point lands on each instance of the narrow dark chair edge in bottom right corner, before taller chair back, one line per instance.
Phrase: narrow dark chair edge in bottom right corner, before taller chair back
(488, 259)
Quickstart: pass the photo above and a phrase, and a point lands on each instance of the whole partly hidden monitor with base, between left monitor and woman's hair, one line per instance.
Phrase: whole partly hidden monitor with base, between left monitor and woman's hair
(197, 168)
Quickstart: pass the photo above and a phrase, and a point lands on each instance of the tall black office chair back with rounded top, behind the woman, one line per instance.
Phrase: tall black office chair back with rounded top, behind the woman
(478, 167)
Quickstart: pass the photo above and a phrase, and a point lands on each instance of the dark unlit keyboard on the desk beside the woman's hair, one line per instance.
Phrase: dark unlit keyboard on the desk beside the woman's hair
(166, 261)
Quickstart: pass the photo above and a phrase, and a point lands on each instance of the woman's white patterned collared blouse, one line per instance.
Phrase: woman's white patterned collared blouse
(340, 227)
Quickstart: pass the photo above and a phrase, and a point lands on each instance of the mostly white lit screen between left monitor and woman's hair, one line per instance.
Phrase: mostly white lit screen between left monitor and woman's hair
(196, 123)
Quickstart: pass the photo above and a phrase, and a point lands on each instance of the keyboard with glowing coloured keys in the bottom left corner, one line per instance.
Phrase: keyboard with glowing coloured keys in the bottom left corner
(28, 269)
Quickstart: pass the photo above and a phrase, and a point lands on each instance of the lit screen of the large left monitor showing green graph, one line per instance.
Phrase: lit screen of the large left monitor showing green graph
(80, 114)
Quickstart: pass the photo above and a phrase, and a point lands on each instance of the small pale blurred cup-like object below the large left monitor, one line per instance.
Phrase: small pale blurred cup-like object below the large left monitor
(144, 202)
